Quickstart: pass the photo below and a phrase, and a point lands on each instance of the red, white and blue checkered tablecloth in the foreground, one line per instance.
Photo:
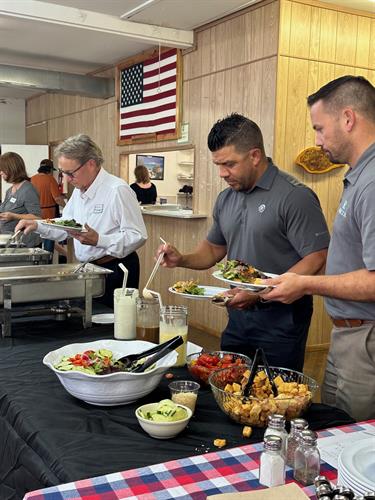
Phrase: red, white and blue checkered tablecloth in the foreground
(193, 478)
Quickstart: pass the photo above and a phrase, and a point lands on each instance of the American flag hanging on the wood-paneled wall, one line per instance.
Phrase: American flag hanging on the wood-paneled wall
(149, 97)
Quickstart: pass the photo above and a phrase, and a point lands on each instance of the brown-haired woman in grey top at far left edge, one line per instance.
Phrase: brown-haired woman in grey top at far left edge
(21, 200)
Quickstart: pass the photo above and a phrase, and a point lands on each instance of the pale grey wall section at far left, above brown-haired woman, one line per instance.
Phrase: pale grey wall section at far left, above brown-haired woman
(12, 121)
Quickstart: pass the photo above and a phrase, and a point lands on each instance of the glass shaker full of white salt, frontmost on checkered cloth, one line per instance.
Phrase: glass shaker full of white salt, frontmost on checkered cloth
(272, 463)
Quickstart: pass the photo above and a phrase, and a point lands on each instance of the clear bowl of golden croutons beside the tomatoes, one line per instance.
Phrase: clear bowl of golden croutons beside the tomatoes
(292, 396)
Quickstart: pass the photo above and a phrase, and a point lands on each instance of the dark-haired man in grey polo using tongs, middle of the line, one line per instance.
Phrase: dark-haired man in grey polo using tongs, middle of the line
(271, 221)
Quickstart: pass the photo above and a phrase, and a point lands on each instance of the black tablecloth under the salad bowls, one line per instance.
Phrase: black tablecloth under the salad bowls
(47, 437)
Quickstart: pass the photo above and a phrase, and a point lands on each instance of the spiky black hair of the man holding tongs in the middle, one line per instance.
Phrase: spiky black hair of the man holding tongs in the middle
(236, 130)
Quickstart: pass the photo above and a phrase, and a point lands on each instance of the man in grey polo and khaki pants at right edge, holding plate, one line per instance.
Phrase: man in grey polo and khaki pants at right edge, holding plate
(343, 116)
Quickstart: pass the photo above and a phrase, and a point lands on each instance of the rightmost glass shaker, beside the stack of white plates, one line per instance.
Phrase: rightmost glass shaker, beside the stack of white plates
(306, 458)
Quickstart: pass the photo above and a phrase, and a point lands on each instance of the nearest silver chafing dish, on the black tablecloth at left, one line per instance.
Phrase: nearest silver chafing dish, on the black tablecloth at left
(43, 283)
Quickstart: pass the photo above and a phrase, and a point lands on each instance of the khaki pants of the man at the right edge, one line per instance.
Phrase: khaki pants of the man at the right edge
(349, 380)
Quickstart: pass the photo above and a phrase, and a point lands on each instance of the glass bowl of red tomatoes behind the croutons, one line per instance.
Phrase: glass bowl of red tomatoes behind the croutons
(202, 364)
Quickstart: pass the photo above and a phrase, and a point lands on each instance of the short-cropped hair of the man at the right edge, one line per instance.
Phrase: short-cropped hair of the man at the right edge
(353, 91)
